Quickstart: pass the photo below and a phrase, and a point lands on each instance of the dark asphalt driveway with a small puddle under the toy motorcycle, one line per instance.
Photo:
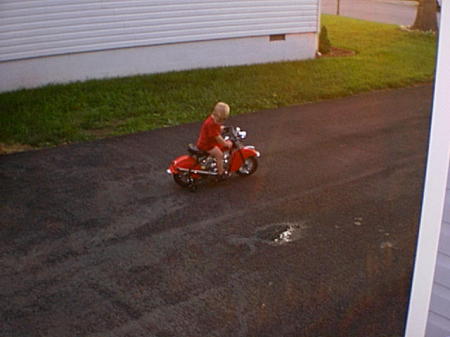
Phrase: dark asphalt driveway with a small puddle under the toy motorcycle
(96, 239)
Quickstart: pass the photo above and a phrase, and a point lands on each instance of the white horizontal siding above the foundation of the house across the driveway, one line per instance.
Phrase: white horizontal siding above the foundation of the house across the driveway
(35, 28)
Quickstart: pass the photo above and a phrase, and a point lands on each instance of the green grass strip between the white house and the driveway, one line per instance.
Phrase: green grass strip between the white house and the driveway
(386, 57)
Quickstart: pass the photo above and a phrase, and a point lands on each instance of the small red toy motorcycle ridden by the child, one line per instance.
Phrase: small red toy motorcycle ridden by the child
(198, 166)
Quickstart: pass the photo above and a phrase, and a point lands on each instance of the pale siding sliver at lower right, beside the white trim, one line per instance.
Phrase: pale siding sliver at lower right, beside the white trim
(439, 317)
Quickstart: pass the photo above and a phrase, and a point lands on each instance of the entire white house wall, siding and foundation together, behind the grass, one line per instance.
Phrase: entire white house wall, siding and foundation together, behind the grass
(82, 37)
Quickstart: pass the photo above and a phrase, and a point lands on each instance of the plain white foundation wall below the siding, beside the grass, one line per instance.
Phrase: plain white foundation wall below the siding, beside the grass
(143, 60)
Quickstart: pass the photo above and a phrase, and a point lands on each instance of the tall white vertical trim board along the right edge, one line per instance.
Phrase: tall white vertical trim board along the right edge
(435, 188)
